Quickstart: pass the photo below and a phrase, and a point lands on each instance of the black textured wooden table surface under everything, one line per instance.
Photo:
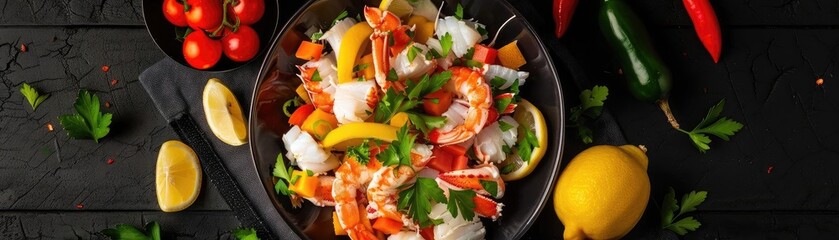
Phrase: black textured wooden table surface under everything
(776, 178)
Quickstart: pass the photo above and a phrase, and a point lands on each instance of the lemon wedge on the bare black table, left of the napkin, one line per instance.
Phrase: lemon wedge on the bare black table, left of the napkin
(178, 176)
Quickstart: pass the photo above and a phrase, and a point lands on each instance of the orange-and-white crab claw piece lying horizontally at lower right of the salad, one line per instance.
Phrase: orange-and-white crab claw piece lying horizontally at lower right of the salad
(476, 179)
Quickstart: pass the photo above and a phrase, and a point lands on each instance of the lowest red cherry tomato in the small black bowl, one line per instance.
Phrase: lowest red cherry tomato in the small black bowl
(200, 51)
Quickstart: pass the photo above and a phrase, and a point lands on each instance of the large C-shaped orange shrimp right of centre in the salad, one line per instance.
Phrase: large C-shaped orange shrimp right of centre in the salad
(469, 85)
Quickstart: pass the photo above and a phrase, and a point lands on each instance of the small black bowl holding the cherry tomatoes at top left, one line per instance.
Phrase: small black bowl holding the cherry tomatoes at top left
(164, 34)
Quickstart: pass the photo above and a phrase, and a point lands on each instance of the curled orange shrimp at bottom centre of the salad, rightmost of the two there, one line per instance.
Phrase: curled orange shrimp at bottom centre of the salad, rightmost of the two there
(384, 188)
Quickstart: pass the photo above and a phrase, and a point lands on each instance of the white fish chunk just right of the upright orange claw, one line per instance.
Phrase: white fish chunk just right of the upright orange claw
(413, 69)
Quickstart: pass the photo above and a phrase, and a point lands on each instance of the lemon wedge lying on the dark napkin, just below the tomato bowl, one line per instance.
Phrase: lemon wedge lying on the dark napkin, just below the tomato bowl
(224, 114)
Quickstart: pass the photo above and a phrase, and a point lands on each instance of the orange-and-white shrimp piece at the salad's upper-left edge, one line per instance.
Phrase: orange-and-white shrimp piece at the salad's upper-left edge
(319, 79)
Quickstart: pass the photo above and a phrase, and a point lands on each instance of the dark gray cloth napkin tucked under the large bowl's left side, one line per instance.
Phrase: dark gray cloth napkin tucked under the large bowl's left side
(177, 92)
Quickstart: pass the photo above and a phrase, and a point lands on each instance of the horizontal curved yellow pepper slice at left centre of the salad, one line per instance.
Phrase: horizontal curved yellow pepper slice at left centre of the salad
(360, 130)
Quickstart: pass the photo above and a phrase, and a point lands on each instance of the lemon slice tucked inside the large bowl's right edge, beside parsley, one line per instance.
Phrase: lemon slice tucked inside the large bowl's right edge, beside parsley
(529, 118)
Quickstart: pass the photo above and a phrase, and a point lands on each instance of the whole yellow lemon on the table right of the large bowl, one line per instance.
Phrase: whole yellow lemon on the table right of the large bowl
(603, 192)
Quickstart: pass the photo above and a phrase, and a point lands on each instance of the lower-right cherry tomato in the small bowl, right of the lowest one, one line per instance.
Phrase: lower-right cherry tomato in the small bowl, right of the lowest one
(241, 45)
